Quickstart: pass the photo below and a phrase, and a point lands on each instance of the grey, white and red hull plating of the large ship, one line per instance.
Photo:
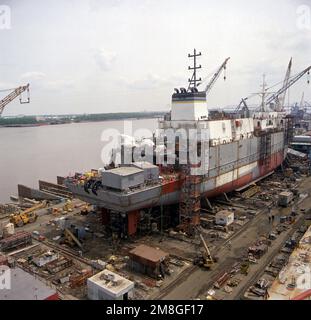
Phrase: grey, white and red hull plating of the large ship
(231, 166)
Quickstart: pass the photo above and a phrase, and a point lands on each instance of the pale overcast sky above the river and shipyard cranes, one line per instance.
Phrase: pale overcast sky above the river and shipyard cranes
(91, 56)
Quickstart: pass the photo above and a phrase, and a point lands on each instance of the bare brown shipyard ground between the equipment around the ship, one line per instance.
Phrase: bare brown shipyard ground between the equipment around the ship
(190, 282)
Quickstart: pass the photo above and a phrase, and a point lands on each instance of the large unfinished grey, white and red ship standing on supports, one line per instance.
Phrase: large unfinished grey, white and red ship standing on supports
(230, 151)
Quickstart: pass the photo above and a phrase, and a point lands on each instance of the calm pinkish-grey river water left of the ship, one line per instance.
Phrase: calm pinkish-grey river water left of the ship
(30, 154)
